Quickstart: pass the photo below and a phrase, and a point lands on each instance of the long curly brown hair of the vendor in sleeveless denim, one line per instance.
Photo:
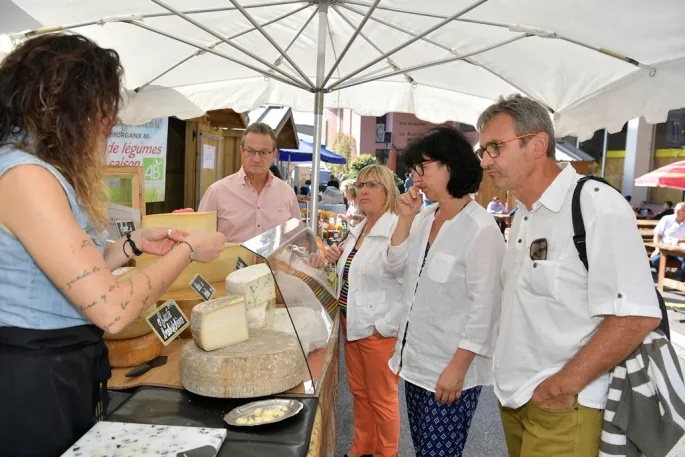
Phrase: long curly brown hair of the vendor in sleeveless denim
(59, 99)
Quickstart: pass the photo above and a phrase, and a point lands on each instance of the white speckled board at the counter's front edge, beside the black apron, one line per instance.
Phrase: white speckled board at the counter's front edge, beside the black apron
(118, 439)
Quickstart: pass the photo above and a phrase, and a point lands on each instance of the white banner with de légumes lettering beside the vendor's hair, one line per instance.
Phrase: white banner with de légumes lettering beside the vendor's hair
(144, 146)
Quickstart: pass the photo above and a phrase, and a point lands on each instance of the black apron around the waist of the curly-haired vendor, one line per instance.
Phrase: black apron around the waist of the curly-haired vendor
(53, 387)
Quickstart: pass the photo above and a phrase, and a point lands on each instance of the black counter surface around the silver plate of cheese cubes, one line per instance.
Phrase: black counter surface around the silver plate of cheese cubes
(159, 406)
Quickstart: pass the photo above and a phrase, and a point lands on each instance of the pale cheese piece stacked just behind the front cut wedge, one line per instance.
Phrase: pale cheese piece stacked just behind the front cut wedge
(255, 282)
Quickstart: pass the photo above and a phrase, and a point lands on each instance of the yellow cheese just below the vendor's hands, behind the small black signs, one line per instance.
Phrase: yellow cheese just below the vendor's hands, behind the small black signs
(214, 271)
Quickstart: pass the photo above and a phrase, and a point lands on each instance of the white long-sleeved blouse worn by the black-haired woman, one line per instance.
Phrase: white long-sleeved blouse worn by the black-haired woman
(454, 301)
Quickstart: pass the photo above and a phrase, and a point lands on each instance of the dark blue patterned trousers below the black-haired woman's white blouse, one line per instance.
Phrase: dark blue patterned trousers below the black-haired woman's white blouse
(439, 430)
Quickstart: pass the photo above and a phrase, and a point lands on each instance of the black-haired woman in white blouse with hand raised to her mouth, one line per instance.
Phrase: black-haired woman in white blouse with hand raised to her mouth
(453, 251)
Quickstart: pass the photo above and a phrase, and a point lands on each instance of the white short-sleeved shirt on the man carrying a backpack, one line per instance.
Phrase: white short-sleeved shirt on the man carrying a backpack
(552, 308)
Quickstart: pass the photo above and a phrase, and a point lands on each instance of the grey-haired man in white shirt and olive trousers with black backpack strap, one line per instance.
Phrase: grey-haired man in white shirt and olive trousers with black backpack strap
(563, 328)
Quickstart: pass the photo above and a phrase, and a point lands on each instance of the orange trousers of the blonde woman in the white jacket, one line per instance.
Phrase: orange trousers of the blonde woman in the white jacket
(376, 398)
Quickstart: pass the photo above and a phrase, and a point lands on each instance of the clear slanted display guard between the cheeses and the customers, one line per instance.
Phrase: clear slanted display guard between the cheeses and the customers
(307, 293)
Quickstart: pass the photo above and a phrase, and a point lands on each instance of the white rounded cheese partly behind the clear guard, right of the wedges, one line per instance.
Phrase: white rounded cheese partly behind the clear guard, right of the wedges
(311, 328)
